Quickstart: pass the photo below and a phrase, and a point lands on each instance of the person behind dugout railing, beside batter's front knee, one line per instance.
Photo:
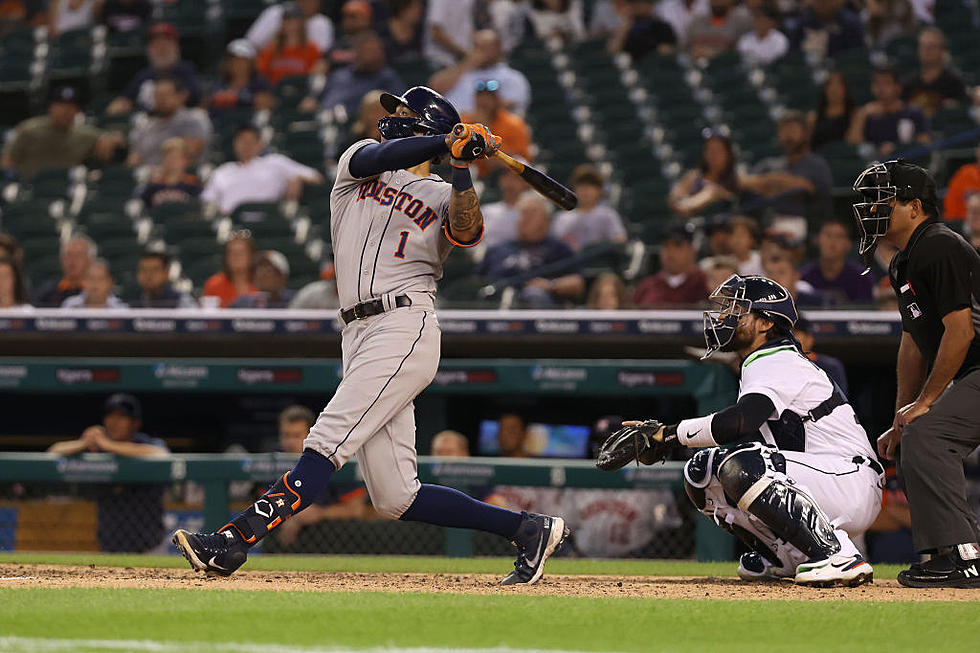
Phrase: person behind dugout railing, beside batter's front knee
(338, 501)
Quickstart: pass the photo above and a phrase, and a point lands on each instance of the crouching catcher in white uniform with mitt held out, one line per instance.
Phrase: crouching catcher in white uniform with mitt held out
(788, 469)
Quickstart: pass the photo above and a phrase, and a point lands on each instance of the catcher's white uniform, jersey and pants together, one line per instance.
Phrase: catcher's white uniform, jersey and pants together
(829, 459)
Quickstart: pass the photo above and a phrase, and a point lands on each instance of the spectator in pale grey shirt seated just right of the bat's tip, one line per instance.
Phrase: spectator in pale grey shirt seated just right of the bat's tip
(592, 221)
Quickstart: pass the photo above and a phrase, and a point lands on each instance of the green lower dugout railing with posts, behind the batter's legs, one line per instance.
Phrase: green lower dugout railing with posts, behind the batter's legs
(214, 473)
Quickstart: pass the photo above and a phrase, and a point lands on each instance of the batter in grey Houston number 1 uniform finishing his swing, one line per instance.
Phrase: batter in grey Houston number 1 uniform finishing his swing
(392, 225)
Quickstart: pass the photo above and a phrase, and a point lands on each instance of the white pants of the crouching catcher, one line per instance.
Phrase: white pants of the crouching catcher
(848, 493)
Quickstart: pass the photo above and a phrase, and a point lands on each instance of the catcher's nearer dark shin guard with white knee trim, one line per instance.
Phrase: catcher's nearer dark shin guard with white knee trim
(789, 512)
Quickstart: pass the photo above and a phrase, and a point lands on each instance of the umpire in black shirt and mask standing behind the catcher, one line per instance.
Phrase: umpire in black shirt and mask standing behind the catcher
(936, 276)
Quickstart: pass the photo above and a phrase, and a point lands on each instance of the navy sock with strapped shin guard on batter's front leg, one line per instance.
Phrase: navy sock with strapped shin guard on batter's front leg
(297, 489)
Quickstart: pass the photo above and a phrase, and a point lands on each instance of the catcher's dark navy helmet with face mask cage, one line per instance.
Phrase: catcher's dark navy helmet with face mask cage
(736, 297)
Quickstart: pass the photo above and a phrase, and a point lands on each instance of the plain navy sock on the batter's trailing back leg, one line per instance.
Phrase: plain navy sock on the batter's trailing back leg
(444, 506)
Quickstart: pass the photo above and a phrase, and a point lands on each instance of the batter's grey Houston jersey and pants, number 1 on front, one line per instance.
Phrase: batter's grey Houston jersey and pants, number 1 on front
(389, 241)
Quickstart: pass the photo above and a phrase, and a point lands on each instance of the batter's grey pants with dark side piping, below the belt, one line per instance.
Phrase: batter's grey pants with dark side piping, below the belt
(388, 360)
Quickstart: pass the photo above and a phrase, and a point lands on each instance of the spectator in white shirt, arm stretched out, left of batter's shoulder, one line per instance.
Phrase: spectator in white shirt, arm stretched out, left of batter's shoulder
(255, 177)
